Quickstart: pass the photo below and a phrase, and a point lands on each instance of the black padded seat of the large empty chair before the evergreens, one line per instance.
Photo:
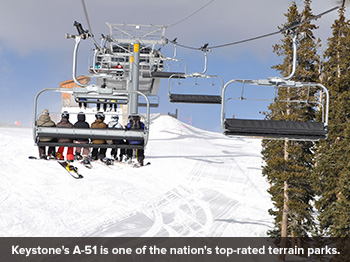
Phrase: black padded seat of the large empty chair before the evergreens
(275, 129)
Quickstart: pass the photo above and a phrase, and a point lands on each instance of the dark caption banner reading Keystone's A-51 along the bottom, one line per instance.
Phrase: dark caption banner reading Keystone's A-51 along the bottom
(199, 249)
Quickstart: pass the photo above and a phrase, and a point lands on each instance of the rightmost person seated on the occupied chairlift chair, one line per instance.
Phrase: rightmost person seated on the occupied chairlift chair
(135, 124)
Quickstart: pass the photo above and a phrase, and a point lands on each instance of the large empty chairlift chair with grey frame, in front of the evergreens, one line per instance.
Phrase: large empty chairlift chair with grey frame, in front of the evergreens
(280, 129)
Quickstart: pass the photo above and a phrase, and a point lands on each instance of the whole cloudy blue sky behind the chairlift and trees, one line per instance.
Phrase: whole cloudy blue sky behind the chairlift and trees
(34, 53)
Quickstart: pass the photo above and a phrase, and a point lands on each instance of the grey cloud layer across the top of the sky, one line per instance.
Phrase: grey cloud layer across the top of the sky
(35, 25)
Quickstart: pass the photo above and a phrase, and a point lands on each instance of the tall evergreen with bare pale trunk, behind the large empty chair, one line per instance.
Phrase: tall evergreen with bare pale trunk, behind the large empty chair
(288, 164)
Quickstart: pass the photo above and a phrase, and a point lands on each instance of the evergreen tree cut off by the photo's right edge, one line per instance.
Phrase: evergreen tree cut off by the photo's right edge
(333, 159)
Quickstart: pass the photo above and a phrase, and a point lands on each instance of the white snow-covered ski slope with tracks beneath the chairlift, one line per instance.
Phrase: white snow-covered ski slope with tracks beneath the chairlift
(199, 183)
